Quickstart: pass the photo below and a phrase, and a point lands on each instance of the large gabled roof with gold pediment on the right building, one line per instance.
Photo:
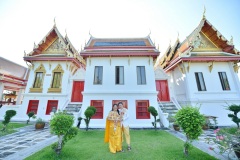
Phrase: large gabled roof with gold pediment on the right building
(205, 44)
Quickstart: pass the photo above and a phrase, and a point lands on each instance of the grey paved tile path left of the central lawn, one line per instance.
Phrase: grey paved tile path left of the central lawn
(25, 142)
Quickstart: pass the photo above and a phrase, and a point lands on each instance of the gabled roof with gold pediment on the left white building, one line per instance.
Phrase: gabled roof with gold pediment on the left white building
(55, 47)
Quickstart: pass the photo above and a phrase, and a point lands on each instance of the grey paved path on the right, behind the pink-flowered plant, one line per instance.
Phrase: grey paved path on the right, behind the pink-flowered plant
(203, 145)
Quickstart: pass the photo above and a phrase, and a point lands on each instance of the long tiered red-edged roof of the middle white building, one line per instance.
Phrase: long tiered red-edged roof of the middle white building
(119, 47)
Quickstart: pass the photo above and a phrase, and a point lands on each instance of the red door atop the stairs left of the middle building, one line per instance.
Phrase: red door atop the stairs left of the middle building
(78, 87)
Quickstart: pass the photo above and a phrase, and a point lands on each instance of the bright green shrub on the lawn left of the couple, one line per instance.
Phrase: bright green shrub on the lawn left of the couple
(61, 125)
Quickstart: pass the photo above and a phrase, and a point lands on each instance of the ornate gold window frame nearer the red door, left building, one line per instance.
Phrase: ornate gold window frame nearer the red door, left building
(57, 69)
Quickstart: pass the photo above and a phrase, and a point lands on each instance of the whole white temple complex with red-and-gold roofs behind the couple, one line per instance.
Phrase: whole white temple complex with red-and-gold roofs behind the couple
(198, 71)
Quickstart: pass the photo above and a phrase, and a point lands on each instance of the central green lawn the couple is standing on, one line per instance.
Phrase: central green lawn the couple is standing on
(146, 144)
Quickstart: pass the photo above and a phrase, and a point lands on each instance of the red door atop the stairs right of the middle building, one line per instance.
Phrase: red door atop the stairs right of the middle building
(162, 88)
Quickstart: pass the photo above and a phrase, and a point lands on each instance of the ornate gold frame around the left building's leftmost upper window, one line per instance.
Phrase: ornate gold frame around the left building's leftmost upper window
(40, 69)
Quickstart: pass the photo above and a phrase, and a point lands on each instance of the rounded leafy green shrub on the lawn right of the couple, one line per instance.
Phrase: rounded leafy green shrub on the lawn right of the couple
(191, 121)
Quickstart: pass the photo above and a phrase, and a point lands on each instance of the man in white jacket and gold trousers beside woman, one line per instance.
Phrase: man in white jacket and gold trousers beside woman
(125, 124)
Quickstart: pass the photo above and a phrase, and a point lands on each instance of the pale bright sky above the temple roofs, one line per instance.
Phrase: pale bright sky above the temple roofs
(23, 22)
